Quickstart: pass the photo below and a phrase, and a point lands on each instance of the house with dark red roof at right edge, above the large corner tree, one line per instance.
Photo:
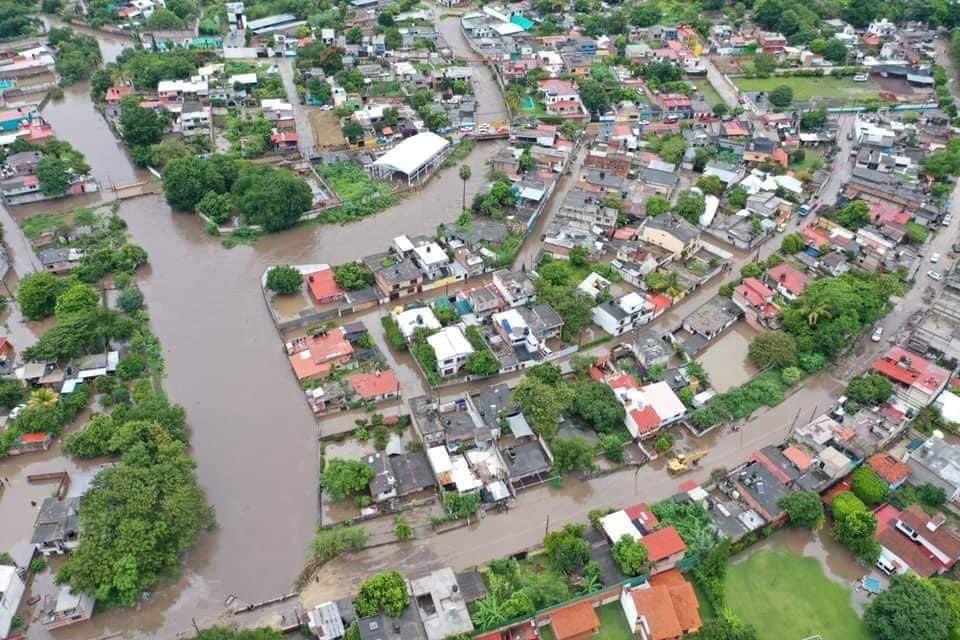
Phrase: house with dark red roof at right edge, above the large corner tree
(913, 540)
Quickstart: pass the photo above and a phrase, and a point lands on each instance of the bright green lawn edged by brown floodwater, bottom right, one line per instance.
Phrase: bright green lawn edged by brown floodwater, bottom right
(788, 597)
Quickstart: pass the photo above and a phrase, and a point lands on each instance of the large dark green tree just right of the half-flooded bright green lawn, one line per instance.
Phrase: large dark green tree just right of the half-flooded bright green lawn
(911, 609)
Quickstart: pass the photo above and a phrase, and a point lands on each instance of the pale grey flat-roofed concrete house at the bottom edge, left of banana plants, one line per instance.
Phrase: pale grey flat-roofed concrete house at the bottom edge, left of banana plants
(440, 604)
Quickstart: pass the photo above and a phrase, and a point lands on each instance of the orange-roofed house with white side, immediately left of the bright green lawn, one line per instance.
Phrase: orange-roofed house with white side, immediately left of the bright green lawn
(665, 608)
